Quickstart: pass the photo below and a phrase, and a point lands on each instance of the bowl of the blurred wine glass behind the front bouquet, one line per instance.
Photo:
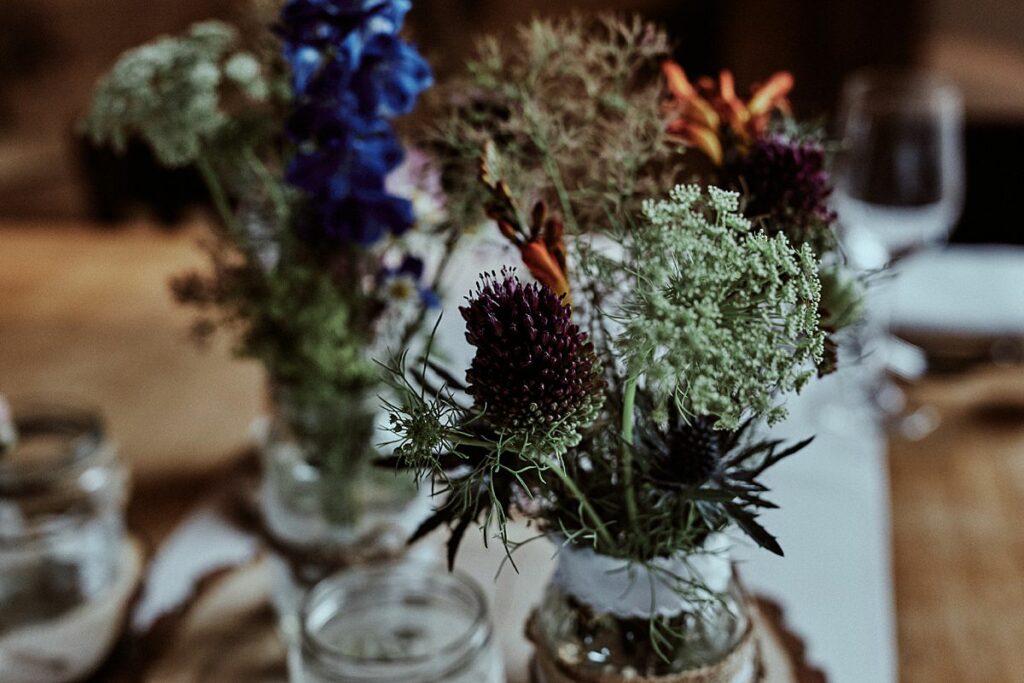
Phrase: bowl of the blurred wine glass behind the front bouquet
(901, 178)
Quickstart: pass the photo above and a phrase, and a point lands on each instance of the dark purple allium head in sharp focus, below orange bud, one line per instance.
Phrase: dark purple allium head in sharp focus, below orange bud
(534, 368)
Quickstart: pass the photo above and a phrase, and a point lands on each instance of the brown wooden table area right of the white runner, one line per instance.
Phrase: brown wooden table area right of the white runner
(958, 501)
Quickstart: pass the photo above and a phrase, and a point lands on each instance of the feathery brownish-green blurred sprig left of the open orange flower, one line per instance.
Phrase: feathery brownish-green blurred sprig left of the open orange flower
(572, 105)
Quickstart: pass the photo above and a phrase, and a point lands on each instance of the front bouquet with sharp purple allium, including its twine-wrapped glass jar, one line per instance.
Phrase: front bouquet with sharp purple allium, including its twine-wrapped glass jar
(675, 276)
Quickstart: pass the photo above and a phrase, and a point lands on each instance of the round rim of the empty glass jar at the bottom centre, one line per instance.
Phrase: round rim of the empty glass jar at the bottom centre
(420, 577)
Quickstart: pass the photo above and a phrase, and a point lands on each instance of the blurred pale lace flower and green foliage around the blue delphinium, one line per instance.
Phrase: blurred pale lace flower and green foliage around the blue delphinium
(217, 100)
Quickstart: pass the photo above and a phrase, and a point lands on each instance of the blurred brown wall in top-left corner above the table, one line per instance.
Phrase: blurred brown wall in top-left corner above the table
(60, 49)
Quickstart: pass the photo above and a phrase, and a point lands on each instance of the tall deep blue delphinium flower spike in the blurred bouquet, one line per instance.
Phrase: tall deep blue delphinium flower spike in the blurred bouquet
(352, 74)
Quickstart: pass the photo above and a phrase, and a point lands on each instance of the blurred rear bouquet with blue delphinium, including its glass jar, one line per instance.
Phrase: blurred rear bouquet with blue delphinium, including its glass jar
(331, 244)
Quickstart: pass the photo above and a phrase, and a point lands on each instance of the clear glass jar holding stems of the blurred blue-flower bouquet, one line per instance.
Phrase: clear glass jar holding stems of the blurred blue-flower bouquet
(325, 504)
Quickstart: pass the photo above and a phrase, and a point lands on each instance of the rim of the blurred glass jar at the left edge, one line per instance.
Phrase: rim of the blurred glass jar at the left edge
(82, 428)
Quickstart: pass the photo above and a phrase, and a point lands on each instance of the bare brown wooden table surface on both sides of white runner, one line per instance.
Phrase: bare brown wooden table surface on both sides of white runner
(87, 313)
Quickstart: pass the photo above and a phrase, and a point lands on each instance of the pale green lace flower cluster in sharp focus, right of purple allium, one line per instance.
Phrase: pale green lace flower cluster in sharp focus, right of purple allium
(721, 320)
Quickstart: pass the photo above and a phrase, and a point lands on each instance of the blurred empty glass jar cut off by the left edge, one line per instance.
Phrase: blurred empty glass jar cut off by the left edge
(63, 494)
